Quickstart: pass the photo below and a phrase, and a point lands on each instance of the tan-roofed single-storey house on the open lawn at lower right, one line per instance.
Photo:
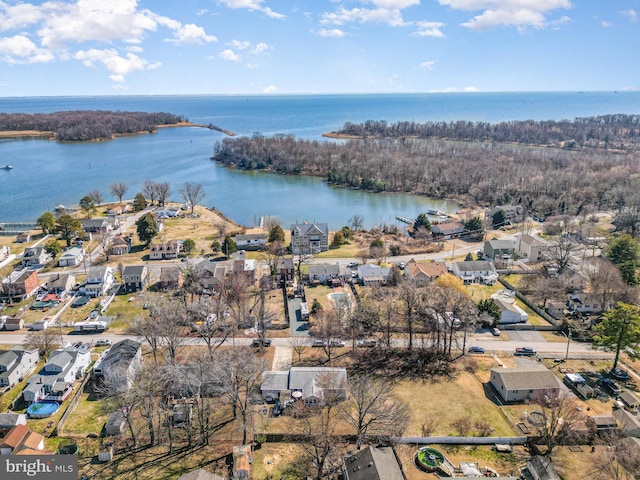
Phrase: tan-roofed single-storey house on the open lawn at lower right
(525, 383)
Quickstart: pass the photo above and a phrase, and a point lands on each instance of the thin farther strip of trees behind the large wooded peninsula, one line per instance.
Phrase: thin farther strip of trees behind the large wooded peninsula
(606, 131)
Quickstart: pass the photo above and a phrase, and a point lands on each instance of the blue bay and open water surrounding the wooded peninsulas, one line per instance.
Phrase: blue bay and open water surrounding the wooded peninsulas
(48, 173)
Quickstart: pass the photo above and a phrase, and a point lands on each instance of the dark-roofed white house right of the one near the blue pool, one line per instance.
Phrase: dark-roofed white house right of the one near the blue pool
(120, 363)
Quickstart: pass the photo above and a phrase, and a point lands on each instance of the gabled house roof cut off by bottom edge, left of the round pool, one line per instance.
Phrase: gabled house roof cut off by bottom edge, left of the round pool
(372, 463)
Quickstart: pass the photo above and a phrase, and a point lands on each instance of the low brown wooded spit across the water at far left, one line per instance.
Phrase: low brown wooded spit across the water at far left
(83, 125)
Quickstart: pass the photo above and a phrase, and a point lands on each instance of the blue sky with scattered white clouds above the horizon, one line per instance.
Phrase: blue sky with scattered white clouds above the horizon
(111, 47)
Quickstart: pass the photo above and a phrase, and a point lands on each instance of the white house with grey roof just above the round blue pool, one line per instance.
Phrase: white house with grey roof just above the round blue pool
(55, 380)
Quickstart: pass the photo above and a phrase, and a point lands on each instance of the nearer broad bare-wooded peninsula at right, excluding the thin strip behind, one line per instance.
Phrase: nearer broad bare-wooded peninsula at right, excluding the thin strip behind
(547, 181)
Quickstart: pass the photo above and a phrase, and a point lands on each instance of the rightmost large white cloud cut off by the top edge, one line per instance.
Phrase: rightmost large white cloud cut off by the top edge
(518, 13)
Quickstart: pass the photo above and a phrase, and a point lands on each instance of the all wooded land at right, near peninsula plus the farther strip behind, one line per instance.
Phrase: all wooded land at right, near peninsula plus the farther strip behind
(548, 167)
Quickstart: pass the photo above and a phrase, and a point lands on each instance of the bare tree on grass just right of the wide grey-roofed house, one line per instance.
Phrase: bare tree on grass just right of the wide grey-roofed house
(374, 412)
